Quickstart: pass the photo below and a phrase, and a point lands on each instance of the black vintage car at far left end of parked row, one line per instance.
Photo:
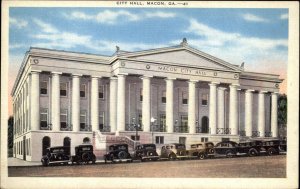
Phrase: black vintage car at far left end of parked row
(56, 155)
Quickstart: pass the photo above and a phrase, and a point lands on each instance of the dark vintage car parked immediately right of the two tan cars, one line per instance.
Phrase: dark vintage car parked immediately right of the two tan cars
(226, 148)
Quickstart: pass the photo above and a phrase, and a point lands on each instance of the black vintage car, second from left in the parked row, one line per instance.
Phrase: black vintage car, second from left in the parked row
(83, 154)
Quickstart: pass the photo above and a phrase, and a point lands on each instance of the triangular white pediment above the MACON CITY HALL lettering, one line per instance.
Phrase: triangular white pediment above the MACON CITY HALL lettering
(184, 57)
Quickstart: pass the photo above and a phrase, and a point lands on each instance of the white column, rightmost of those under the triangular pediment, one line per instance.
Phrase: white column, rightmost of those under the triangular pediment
(233, 110)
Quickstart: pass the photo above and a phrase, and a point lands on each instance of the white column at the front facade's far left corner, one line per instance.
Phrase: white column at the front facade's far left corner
(35, 100)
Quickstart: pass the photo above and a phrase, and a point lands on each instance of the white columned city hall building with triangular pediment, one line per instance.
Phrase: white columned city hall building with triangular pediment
(164, 95)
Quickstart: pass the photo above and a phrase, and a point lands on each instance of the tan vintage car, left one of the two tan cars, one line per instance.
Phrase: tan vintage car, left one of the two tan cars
(173, 151)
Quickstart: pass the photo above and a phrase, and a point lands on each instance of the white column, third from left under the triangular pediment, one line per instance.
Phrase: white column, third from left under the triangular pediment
(169, 104)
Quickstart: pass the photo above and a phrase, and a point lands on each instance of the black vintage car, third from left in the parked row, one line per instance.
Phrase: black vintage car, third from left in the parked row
(117, 152)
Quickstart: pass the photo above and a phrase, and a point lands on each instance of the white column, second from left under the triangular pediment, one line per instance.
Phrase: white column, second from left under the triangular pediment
(146, 111)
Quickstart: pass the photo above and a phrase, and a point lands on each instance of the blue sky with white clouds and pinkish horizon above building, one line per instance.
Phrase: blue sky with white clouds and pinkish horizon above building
(258, 37)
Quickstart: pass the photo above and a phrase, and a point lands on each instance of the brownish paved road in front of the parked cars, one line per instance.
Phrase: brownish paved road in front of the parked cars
(245, 167)
